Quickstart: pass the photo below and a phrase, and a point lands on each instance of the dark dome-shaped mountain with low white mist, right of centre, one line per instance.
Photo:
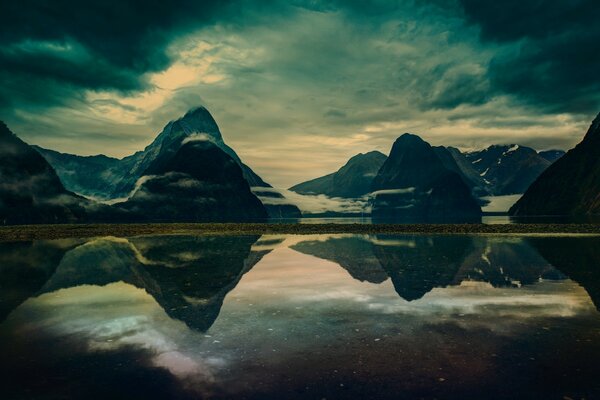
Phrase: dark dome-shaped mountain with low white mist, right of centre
(414, 183)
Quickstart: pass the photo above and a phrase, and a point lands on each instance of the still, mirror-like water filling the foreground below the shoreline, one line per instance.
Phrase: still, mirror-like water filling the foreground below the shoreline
(284, 317)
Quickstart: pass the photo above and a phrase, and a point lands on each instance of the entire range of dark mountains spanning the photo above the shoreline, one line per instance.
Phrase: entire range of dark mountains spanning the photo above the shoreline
(188, 173)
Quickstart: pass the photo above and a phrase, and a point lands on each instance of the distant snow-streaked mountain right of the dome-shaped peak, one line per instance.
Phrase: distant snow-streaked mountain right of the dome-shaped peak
(508, 169)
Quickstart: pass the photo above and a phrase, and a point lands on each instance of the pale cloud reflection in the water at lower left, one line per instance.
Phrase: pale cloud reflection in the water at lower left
(116, 317)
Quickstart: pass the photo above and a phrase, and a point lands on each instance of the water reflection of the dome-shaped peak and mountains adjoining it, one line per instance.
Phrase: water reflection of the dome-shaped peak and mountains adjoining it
(417, 264)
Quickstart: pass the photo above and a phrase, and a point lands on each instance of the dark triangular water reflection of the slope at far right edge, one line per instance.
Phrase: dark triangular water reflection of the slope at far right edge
(578, 257)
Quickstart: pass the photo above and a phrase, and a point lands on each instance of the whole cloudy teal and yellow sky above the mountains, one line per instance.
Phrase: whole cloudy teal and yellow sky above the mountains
(299, 86)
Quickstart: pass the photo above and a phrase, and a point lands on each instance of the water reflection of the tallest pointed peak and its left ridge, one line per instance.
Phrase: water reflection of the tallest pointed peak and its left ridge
(189, 277)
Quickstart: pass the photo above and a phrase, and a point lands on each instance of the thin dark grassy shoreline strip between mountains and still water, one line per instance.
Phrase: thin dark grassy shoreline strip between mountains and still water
(64, 231)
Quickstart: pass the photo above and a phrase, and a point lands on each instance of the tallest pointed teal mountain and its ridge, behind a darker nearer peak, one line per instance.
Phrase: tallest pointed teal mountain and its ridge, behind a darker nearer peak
(108, 178)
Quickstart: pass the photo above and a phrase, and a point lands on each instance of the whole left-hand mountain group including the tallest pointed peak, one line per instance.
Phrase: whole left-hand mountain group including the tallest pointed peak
(186, 174)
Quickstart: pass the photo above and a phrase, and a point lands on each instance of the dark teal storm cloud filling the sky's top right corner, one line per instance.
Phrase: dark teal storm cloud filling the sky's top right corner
(551, 59)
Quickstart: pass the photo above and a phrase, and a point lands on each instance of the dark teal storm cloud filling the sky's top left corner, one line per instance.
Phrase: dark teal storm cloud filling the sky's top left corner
(51, 49)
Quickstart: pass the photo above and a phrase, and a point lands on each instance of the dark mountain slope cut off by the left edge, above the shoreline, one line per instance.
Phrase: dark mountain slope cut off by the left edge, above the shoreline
(30, 190)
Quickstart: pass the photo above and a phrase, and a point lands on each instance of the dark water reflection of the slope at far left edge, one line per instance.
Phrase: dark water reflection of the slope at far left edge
(25, 267)
